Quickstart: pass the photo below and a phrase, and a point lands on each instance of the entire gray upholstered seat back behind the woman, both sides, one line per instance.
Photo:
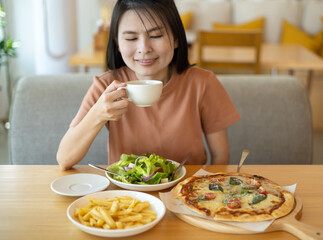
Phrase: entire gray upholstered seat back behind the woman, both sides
(276, 123)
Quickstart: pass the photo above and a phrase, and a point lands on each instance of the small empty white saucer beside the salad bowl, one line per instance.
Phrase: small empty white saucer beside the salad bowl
(79, 184)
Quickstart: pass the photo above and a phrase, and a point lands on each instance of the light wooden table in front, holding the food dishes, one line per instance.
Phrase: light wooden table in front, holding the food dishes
(30, 210)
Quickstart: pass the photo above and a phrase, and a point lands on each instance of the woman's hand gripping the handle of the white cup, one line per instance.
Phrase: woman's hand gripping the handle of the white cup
(113, 103)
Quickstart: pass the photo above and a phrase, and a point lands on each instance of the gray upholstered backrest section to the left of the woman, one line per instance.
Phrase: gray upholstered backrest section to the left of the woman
(41, 112)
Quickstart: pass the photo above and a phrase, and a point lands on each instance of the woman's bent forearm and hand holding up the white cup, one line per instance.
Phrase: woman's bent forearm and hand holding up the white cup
(111, 105)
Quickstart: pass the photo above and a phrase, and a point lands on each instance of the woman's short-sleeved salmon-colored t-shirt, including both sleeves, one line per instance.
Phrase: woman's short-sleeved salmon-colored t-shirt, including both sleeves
(191, 102)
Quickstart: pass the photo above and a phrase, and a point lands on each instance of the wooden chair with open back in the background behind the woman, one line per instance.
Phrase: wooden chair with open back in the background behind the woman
(230, 49)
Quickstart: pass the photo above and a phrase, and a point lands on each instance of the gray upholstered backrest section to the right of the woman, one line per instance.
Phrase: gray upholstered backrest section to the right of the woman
(276, 119)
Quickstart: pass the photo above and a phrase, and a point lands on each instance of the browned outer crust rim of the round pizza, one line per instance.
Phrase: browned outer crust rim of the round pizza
(227, 214)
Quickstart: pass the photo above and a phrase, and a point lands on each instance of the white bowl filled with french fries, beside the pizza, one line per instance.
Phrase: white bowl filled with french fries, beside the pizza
(116, 213)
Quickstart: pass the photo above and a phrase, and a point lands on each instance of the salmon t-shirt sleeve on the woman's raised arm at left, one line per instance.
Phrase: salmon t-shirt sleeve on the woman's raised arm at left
(91, 97)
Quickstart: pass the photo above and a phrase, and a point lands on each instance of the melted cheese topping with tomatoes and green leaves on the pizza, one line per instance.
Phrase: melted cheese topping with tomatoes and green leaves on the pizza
(231, 194)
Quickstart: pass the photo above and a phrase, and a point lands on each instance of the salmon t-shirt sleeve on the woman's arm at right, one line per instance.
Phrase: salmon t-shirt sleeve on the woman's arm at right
(217, 109)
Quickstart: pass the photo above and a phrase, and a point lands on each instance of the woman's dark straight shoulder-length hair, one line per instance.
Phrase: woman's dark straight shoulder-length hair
(166, 11)
